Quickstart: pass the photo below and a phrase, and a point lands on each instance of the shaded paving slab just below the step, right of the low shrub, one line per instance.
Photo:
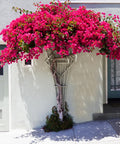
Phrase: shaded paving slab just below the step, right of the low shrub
(93, 130)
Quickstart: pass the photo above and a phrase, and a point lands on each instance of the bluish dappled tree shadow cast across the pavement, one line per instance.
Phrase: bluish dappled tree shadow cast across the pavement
(80, 132)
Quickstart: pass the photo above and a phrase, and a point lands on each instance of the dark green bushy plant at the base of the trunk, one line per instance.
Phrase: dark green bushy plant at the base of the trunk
(53, 123)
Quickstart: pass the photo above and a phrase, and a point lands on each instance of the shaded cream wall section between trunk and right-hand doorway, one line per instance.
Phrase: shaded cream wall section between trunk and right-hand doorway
(85, 87)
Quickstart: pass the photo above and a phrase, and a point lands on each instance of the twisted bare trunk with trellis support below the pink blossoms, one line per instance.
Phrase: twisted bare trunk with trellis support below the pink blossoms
(52, 61)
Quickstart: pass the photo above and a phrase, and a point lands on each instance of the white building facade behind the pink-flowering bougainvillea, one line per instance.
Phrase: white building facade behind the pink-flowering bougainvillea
(27, 93)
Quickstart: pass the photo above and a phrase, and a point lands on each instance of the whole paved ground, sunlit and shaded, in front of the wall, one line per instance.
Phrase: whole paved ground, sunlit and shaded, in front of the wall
(94, 132)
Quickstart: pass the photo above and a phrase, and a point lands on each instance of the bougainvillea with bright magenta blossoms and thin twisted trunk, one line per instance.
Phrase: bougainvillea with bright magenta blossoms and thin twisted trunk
(58, 28)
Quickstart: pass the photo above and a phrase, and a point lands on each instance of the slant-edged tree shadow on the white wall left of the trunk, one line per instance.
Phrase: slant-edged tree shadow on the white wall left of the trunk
(37, 91)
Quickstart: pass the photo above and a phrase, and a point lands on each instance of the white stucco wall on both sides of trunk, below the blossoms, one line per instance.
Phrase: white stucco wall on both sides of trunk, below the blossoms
(35, 92)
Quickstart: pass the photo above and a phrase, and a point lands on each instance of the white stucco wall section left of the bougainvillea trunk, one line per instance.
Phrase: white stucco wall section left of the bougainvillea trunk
(32, 95)
